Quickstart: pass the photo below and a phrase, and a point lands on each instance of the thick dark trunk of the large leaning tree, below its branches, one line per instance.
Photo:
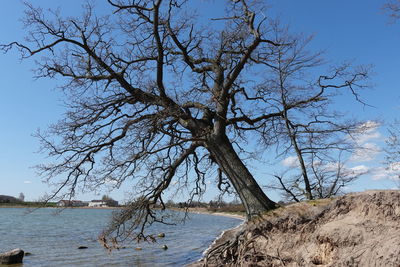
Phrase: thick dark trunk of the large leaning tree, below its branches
(252, 196)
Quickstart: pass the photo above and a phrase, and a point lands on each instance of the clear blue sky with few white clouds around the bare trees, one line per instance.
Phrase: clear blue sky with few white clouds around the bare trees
(357, 30)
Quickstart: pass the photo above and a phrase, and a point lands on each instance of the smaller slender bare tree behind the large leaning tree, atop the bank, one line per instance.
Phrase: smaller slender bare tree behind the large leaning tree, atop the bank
(312, 131)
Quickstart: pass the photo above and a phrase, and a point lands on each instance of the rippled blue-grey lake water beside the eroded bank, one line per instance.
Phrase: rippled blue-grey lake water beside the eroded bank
(53, 239)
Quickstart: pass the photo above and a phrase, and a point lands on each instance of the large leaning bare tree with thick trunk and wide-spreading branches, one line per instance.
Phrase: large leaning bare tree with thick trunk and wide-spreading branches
(157, 96)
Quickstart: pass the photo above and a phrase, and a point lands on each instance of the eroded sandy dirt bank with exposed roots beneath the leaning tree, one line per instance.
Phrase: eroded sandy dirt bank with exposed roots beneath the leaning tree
(361, 229)
